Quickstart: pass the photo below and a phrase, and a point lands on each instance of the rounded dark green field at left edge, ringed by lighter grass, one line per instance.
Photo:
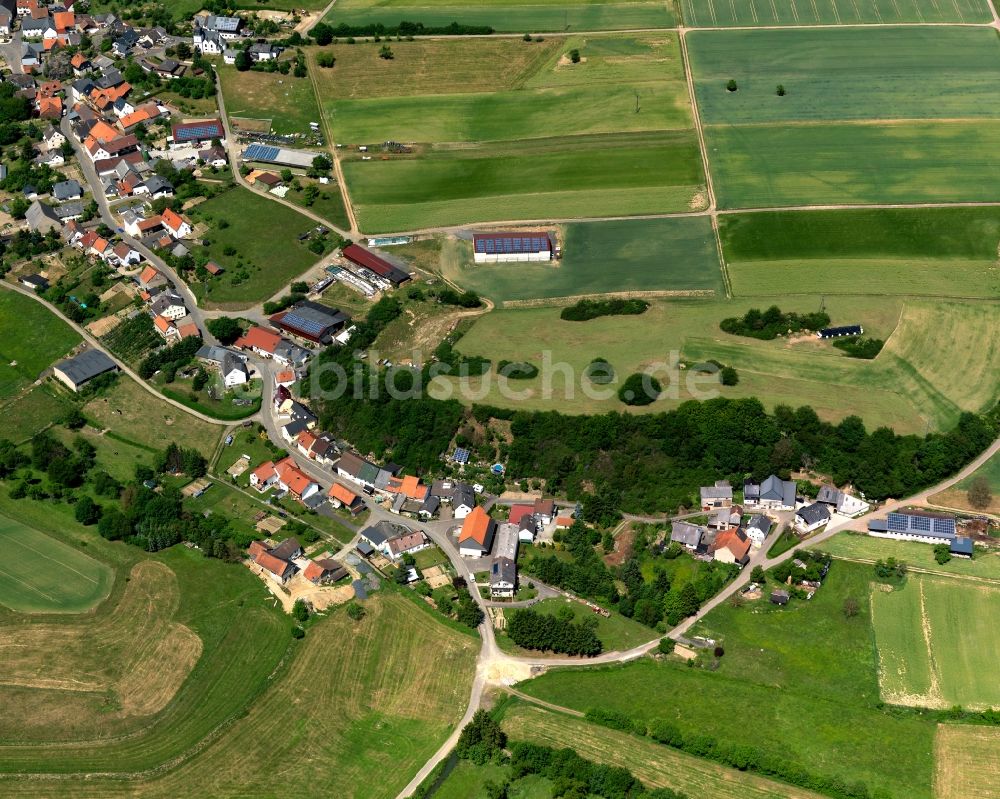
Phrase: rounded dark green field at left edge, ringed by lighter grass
(44, 575)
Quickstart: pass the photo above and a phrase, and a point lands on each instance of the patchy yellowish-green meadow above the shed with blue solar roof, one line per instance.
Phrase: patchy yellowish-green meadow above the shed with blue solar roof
(289, 102)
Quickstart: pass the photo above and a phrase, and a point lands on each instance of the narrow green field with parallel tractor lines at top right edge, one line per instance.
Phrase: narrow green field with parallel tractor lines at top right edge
(734, 13)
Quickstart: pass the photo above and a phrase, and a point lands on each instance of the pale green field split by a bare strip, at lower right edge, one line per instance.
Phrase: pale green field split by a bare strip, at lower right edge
(937, 642)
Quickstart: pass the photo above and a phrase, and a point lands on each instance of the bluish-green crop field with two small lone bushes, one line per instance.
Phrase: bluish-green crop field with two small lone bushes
(845, 74)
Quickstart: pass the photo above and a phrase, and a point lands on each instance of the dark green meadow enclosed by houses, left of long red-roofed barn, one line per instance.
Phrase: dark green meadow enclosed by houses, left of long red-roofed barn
(262, 236)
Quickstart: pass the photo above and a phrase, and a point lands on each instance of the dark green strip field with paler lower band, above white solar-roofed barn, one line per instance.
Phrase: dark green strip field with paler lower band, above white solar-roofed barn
(579, 176)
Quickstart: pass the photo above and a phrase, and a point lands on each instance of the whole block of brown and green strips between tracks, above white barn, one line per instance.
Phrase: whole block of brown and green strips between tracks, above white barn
(511, 125)
